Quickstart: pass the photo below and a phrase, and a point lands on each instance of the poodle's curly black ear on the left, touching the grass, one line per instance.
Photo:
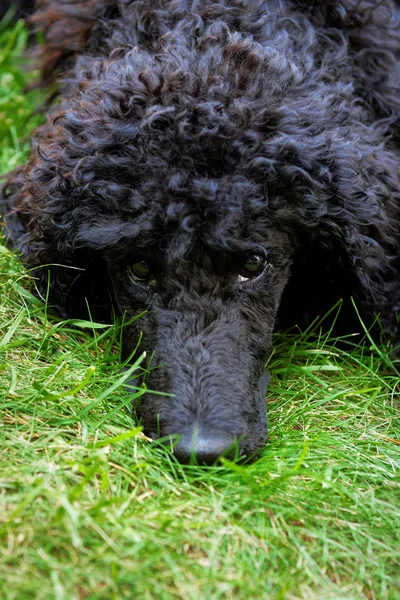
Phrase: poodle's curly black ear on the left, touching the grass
(75, 284)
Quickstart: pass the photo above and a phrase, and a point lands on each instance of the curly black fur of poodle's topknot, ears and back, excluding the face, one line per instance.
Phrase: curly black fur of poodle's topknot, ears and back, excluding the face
(309, 112)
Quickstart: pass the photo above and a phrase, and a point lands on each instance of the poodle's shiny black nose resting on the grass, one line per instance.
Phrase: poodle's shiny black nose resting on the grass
(205, 446)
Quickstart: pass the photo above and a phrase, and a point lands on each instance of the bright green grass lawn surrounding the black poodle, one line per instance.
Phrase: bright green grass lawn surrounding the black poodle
(90, 509)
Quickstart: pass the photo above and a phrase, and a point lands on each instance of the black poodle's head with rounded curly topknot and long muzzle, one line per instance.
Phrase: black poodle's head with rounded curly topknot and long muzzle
(183, 183)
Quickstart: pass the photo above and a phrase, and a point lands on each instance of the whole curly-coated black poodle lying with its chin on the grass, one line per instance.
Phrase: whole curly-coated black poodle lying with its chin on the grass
(221, 167)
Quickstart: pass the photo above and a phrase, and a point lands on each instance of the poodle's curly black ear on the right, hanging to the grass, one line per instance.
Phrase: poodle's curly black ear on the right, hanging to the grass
(349, 240)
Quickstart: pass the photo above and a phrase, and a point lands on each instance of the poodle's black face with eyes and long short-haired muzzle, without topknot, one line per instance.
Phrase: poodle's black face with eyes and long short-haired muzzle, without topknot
(208, 272)
